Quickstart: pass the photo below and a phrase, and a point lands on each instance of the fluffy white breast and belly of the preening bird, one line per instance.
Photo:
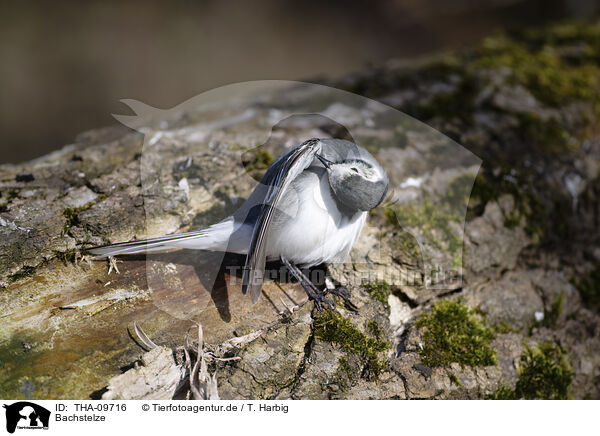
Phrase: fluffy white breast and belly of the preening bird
(308, 228)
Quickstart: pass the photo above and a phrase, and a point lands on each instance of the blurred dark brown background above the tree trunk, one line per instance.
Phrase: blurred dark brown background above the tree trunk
(65, 65)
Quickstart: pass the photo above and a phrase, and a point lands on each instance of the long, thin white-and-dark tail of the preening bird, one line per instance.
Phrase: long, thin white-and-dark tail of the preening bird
(215, 237)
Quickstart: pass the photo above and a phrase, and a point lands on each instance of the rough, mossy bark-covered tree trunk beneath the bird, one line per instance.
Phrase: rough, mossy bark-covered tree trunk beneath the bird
(525, 104)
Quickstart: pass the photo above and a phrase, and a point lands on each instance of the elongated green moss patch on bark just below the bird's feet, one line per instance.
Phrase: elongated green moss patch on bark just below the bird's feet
(333, 327)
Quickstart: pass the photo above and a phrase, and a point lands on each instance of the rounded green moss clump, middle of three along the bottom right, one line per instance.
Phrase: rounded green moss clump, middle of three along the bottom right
(453, 333)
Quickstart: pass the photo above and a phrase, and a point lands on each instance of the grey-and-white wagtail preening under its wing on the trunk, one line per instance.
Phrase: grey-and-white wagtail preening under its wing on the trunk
(308, 209)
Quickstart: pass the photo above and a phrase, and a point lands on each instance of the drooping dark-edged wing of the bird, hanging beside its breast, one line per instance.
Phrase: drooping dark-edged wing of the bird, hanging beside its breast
(277, 179)
